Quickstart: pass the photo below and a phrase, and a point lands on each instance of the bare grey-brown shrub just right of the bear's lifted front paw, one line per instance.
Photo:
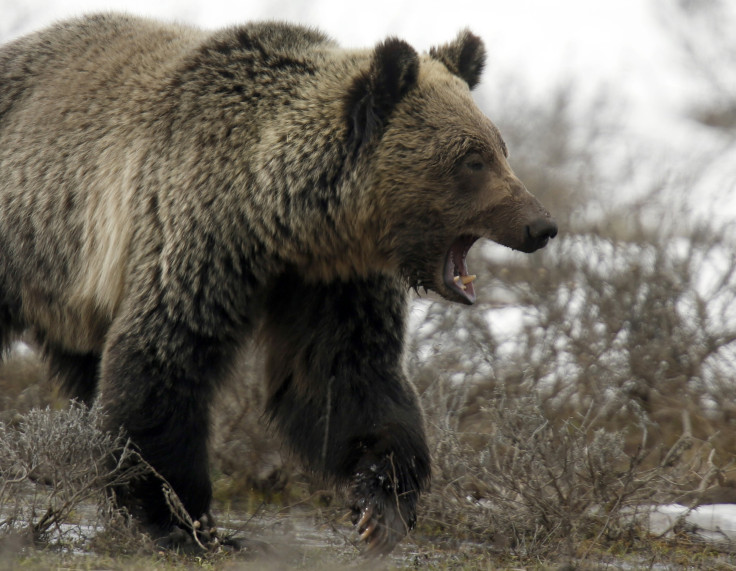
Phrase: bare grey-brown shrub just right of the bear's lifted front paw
(539, 486)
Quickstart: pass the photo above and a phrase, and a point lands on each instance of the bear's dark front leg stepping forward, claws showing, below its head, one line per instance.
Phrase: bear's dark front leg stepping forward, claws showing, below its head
(339, 394)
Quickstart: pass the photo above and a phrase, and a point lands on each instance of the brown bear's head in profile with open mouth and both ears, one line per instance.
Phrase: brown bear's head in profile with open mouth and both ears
(440, 176)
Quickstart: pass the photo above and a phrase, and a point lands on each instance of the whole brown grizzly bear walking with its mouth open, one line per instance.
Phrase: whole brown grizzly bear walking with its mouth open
(167, 193)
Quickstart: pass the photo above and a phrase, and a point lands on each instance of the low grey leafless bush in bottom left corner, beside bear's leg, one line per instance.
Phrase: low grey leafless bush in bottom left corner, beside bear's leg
(53, 463)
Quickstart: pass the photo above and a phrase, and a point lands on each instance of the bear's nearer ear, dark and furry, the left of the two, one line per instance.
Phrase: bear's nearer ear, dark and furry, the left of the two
(375, 92)
